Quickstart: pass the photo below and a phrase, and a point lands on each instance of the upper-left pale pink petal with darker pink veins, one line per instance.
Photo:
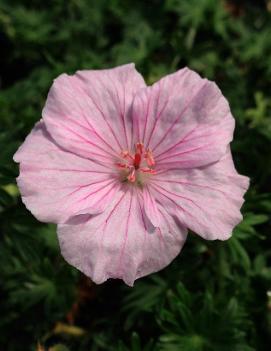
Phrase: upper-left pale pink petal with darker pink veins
(89, 113)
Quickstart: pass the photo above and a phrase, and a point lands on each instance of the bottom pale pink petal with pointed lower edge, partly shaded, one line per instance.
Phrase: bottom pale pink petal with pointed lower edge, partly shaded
(121, 242)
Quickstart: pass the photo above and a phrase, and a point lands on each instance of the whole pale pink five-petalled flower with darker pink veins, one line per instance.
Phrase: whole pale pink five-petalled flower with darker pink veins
(124, 169)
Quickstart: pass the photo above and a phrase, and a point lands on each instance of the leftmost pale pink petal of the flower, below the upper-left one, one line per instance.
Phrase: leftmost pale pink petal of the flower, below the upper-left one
(56, 184)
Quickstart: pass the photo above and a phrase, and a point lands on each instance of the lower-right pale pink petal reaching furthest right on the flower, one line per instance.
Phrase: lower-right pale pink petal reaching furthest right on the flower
(206, 200)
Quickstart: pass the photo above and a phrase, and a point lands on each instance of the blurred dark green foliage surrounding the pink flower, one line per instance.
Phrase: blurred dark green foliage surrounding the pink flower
(216, 296)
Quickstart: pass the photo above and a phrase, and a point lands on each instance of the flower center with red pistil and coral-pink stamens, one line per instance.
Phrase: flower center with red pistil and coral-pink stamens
(135, 167)
